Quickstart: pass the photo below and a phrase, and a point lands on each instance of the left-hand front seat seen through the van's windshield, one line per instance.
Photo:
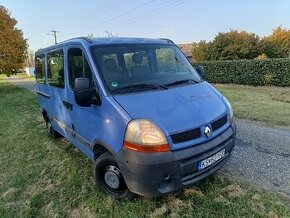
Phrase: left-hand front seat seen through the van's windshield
(111, 70)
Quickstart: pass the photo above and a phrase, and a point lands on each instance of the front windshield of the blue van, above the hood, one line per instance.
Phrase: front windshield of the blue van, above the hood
(131, 68)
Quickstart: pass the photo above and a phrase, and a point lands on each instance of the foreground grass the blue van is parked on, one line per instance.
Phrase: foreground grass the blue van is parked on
(40, 177)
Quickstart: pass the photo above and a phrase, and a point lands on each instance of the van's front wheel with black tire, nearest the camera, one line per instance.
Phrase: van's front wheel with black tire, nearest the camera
(109, 177)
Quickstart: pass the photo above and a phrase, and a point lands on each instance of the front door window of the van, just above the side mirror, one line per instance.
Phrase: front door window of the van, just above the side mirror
(78, 66)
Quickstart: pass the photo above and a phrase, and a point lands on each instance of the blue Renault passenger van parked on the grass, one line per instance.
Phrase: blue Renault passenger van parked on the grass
(138, 109)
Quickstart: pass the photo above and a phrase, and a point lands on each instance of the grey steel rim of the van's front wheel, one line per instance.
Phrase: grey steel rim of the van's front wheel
(113, 179)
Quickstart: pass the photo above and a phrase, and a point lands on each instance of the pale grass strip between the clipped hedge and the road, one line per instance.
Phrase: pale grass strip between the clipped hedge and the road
(267, 104)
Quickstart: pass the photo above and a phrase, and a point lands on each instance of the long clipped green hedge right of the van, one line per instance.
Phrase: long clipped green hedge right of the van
(248, 72)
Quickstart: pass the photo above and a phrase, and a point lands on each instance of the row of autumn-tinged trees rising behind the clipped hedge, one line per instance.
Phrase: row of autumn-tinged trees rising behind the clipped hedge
(236, 45)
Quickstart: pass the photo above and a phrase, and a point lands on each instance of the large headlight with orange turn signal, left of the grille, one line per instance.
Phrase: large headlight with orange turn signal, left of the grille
(143, 135)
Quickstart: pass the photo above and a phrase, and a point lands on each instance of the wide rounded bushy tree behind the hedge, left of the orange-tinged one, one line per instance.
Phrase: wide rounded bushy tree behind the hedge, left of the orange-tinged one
(235, 45)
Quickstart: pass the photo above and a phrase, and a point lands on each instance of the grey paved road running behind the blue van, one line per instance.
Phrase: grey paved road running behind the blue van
(261, 155)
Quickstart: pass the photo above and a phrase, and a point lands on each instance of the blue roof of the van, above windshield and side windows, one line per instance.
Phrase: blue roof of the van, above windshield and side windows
(105, 41)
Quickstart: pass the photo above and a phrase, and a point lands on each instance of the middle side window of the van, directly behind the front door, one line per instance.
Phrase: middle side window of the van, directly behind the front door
(55, 69)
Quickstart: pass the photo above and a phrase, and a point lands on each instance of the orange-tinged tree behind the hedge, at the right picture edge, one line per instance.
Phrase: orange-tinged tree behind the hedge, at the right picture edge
(277, 45)
